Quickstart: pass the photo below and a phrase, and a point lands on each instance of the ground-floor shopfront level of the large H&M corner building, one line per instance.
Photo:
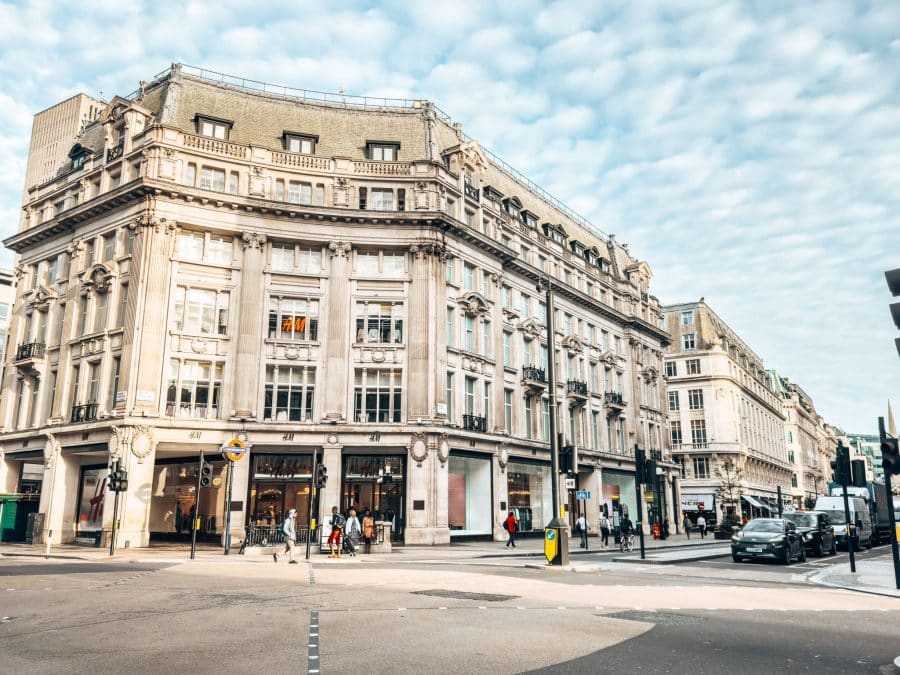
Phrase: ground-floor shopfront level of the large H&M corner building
(430, 486)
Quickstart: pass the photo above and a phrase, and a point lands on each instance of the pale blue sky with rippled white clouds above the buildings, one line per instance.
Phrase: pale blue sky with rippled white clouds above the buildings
(749, 151)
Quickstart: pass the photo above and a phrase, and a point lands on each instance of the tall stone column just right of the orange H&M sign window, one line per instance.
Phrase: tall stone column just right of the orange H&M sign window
(337, 347)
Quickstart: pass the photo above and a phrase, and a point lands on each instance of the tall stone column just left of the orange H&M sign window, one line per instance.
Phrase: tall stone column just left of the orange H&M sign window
(246, 364)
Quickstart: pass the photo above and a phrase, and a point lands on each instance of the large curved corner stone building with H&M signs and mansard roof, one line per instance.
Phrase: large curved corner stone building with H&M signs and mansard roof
(353, 280)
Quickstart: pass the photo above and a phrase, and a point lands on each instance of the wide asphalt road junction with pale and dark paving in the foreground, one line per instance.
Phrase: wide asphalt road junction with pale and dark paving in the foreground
(239, 615)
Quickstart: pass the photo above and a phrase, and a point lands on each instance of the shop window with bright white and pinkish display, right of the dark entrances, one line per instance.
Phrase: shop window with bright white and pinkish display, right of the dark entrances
(469, 494)
